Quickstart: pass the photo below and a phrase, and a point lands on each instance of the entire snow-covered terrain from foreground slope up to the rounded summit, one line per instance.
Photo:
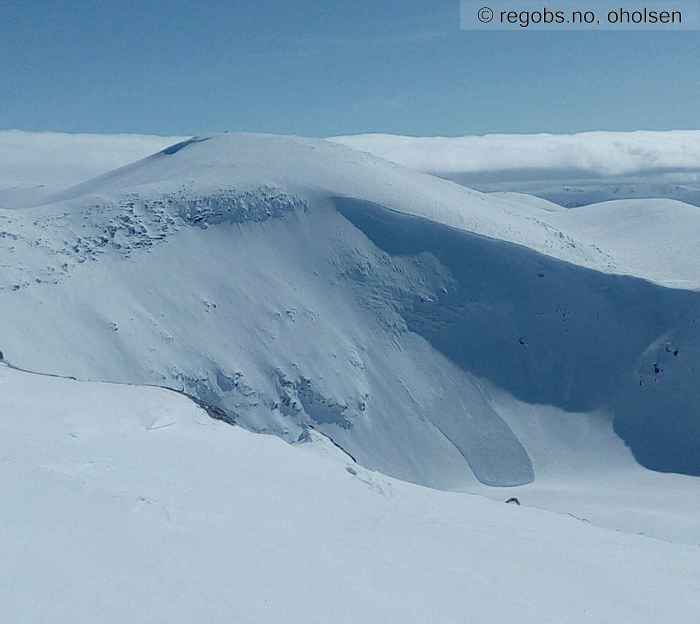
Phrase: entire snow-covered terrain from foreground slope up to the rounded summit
(388, 323)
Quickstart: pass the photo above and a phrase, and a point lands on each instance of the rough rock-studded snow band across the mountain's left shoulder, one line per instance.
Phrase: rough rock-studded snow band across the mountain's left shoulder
(123, 226)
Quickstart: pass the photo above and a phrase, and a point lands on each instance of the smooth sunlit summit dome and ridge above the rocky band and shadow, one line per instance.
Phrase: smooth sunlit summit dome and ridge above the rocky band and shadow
(233, 164)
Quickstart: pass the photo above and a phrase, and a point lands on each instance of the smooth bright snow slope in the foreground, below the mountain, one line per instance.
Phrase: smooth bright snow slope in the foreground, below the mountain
(127, 504)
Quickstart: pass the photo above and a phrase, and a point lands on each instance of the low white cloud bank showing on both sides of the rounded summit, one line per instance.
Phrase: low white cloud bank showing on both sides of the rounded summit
(60, 159)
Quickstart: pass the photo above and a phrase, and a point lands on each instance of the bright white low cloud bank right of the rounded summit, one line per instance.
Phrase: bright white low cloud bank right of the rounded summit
(586, 154)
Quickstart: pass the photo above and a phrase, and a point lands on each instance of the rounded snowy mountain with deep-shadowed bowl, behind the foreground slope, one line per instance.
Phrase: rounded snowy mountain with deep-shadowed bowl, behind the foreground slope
(299, 284)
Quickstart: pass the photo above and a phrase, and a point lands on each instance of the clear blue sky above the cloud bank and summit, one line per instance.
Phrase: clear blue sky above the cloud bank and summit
(325, 67)
